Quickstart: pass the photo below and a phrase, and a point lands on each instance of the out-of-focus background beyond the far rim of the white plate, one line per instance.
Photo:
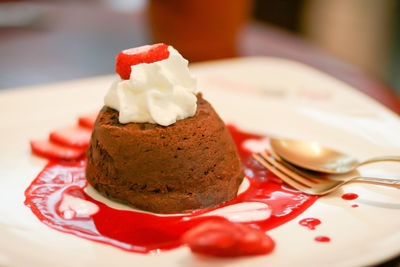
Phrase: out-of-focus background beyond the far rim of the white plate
(47, 41)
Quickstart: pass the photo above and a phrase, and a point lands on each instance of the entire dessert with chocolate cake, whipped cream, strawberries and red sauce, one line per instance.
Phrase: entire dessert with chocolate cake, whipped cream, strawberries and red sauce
(184, 136)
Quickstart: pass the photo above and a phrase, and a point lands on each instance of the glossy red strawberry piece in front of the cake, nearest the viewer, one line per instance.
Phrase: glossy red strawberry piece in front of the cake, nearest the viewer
(227, 239)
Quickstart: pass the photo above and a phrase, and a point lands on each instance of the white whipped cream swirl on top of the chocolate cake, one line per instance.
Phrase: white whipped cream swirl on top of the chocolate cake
(162, 92)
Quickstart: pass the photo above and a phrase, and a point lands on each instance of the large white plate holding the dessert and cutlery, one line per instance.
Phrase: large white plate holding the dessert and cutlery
(263, 95)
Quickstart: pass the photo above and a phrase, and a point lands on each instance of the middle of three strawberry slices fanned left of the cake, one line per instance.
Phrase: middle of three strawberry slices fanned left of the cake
(74, 136)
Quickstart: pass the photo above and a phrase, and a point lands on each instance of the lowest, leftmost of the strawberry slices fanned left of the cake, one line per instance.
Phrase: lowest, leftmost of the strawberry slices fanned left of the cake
(47, 149)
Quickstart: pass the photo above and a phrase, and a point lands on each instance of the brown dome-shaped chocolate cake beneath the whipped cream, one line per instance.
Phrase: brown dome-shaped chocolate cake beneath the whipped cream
(191, 164)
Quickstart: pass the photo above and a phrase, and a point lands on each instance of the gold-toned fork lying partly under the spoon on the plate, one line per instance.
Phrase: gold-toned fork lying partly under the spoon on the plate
(309, 183)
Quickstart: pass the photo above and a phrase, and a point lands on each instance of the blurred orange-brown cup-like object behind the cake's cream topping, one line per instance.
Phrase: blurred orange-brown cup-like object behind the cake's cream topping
(199, 29)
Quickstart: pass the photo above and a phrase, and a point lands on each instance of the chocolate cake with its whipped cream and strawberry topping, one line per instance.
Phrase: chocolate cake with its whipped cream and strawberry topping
(158, 145)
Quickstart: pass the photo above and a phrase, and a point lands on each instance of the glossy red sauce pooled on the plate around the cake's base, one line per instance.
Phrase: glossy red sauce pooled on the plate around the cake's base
(143, 232)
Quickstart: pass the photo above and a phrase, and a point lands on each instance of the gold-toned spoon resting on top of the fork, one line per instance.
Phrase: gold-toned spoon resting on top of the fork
(313, 156)
